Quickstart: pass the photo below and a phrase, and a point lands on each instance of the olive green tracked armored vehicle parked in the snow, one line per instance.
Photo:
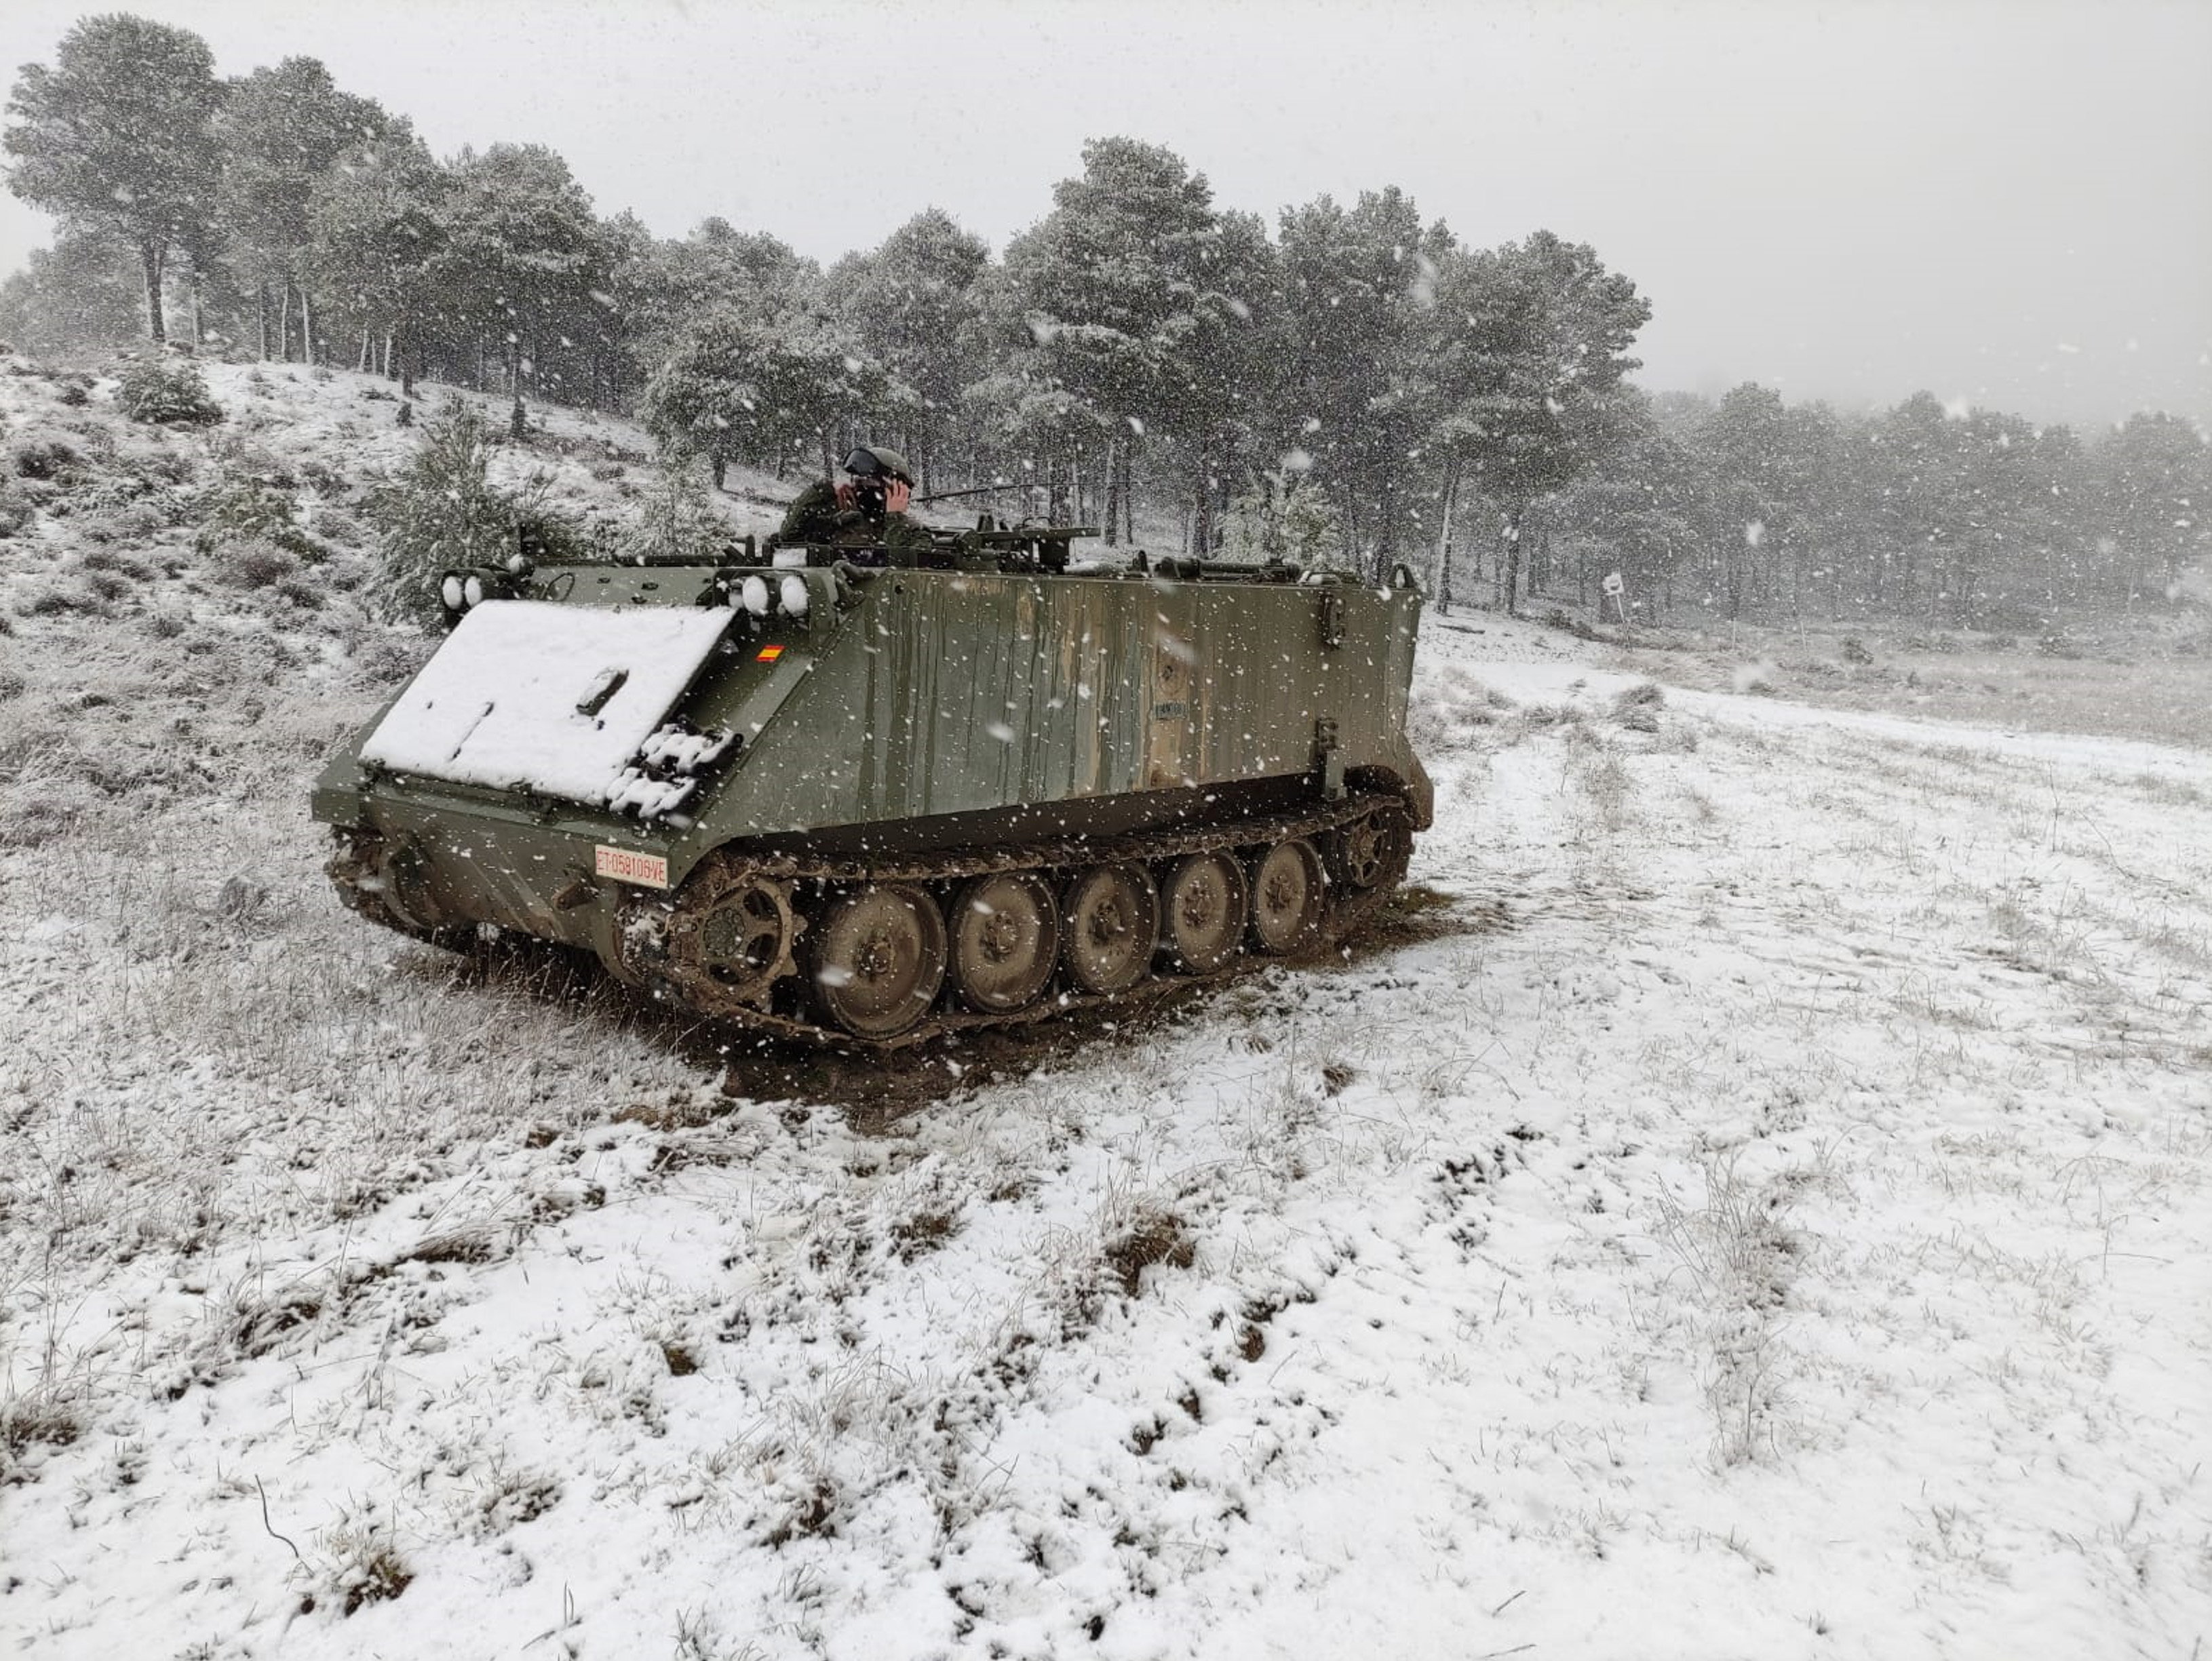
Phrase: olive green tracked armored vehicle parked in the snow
(868, 797)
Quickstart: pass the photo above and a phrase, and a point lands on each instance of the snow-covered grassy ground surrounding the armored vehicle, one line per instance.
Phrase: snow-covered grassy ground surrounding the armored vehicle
(1751, 1204)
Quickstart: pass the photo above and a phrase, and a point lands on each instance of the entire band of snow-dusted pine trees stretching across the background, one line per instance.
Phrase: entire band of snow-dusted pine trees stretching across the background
(1348, 384)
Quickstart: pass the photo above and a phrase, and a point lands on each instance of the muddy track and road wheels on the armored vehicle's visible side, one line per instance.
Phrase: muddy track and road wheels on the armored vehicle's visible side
(888, 954)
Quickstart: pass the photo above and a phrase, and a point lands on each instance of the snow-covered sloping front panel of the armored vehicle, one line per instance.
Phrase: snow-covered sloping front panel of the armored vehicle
(559, 700)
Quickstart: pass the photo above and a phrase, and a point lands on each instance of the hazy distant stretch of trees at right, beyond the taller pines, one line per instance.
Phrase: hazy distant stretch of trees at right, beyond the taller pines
(1952, 516)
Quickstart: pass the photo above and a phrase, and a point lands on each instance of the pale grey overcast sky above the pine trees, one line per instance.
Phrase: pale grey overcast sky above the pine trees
(2003, 202)
